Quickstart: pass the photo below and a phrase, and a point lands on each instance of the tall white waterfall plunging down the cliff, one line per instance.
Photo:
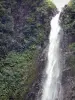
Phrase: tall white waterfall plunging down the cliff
(52, 84)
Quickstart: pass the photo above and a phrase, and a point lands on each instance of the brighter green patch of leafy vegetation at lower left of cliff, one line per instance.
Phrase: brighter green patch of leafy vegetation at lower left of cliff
(17, 72)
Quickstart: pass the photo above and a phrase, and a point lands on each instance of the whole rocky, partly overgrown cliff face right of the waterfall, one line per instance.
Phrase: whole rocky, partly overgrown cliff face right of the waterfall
(68, 24)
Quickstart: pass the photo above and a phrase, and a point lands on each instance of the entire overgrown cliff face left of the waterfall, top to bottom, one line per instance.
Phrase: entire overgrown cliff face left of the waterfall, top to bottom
(24, 31)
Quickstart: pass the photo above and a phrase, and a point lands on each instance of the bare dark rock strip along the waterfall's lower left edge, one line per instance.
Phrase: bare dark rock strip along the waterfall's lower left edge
(34, 90)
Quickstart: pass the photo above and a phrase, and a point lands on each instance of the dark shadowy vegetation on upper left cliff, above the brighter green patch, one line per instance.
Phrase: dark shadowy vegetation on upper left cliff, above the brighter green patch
(31, 27)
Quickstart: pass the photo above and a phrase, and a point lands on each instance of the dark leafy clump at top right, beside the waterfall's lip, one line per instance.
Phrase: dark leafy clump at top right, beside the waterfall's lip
(68, 18)
